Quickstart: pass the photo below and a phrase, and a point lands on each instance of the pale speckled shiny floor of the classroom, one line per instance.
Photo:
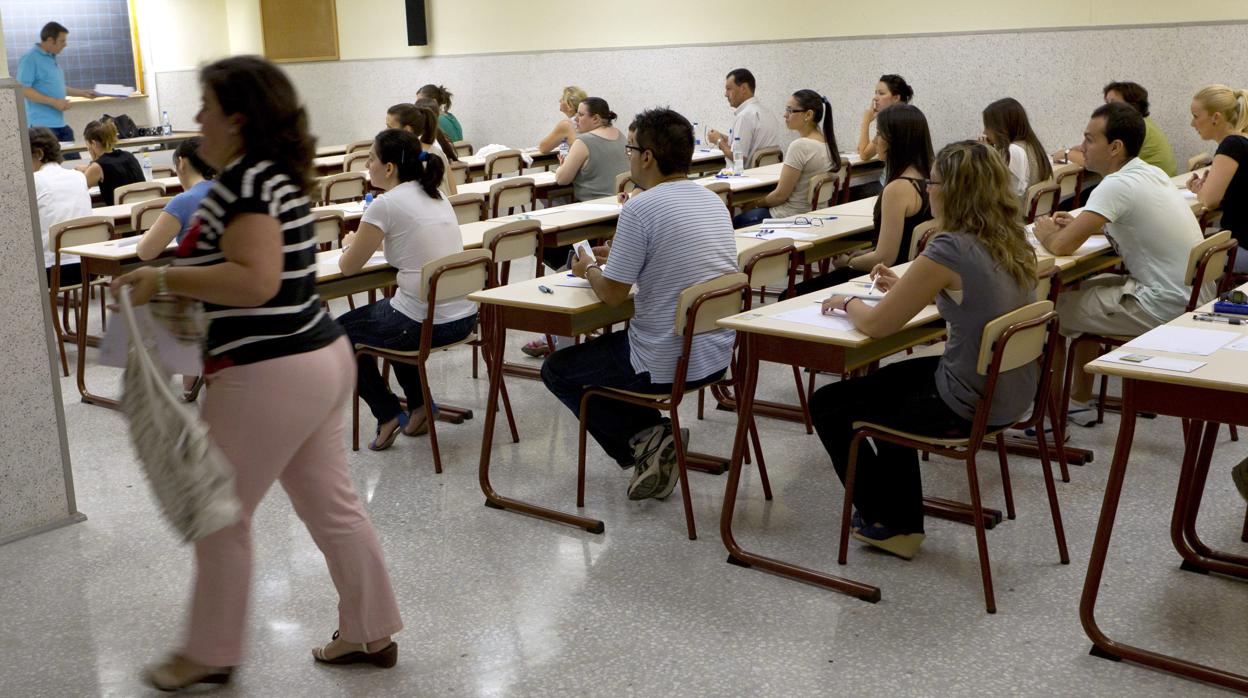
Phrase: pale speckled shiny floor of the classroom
(504, 605)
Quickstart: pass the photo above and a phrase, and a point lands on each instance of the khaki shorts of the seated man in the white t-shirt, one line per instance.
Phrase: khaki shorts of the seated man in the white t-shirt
(1103, 307)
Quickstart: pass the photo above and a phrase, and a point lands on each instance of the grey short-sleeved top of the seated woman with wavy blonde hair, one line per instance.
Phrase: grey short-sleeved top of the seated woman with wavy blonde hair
(988, 293)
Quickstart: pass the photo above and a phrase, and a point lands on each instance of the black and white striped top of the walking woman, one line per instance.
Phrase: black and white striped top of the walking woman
(294, 320)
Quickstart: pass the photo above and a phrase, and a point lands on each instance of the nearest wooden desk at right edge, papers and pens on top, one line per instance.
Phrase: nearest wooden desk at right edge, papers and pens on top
(1207, 398)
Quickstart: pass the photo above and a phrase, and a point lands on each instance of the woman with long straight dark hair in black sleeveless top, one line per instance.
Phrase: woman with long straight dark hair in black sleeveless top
(905, 144)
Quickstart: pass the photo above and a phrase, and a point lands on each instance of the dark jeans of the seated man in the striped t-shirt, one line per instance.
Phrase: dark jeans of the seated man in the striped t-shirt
(605, 363)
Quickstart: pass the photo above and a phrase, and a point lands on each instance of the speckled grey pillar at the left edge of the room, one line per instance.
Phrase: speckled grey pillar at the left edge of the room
(36, 488)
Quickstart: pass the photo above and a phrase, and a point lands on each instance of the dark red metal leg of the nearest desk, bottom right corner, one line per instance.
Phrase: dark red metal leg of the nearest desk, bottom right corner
(1103, 646)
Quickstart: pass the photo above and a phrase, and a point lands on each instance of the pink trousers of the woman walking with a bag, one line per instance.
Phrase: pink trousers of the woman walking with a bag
(281, 420)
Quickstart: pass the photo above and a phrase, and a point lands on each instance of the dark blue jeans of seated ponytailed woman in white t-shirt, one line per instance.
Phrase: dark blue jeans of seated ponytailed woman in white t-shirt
(379, 325)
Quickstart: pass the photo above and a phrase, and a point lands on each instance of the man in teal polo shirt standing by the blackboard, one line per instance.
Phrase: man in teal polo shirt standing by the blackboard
(44, 83)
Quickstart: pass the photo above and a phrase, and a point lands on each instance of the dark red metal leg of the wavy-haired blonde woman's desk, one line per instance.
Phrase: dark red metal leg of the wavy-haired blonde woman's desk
(737, 555)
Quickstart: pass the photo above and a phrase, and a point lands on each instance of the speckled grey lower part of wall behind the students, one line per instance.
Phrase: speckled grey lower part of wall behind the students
(1058, 76)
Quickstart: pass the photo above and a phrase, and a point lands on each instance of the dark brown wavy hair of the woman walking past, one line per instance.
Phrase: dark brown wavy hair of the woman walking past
(275, 127)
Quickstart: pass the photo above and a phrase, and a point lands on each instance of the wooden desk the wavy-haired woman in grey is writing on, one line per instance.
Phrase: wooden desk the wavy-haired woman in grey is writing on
(763, 338)
